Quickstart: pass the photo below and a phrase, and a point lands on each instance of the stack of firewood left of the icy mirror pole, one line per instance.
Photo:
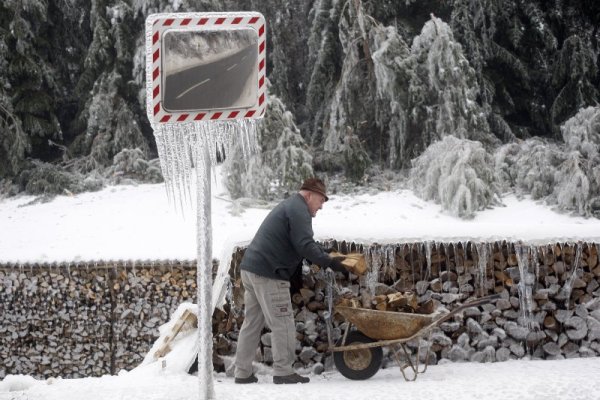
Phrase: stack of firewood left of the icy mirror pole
(86, 320)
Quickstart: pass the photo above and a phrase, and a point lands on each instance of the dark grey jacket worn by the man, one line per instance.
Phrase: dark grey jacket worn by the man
(284, 238)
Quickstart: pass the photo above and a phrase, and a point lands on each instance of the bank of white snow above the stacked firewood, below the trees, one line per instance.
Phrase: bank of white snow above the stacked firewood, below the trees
(137, 222)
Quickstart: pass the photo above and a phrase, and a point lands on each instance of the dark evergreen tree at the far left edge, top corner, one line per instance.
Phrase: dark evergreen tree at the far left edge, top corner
(28, 112)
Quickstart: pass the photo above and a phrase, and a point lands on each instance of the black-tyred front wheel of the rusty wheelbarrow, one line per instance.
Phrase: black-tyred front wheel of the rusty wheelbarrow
(358, 364)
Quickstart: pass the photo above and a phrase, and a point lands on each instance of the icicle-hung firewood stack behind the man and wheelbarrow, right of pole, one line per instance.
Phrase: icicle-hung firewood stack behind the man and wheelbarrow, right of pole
(549, 306)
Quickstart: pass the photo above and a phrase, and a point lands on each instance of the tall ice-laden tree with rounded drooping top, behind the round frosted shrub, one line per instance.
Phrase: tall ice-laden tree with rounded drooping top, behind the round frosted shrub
(442, 92)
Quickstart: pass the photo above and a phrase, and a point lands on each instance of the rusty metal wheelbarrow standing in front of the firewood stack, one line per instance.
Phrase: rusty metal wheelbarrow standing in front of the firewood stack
(358, 354)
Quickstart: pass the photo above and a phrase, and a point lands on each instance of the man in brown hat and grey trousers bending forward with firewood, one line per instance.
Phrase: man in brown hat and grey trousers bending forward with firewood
(284, 238)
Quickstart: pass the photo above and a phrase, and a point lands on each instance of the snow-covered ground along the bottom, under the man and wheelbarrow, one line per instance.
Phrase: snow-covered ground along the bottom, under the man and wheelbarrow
(511, 380)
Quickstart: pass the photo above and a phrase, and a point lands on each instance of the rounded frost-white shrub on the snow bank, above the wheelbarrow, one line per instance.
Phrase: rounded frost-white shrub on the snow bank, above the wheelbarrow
(458, 174)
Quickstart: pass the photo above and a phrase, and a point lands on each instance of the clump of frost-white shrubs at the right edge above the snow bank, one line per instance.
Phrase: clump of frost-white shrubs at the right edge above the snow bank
(566, 175)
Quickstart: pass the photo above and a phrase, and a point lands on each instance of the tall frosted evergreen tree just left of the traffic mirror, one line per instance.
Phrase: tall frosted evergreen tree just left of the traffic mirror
(108, 119)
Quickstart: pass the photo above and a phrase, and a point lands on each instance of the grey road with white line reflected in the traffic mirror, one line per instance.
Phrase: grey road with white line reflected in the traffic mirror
(228, 82)
